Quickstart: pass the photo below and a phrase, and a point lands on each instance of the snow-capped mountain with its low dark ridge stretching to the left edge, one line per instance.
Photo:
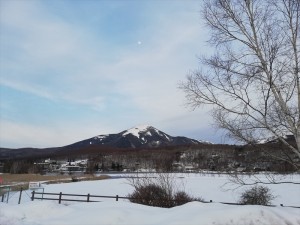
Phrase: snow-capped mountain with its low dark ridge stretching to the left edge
(134, 138)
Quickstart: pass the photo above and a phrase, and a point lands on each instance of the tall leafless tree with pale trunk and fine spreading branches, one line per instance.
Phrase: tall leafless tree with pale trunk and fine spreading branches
(253, 78)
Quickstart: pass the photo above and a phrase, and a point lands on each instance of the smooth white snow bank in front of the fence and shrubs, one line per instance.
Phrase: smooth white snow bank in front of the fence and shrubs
(116, 213)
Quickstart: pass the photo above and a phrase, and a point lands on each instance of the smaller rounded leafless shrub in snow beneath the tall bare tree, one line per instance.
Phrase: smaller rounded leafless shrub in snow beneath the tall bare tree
(257, 195)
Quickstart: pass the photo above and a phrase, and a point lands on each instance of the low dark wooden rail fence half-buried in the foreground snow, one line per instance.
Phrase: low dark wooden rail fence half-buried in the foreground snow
(87, 198)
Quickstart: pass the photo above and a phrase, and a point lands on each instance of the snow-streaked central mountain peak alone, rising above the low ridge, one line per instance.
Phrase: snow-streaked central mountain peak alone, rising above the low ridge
(136, 137)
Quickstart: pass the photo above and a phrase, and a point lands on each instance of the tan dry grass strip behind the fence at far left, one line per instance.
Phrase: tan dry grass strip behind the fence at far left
(17, 181)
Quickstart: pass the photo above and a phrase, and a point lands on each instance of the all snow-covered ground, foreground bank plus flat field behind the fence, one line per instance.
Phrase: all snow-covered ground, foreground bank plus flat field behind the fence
(109, 211)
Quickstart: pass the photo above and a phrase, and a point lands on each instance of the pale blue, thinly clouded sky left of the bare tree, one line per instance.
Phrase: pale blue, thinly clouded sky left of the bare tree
(74, 69)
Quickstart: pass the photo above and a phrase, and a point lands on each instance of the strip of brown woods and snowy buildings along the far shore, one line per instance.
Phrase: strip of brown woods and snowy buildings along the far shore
(179, 161)
